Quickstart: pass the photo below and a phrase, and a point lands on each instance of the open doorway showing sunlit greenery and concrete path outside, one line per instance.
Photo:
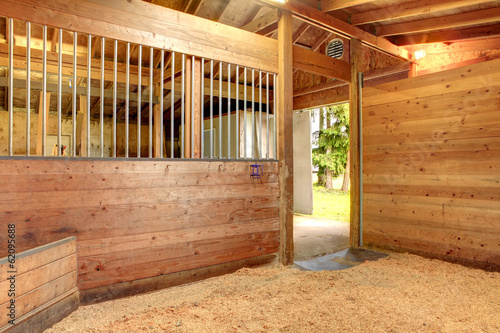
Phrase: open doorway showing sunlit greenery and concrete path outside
(321, 185)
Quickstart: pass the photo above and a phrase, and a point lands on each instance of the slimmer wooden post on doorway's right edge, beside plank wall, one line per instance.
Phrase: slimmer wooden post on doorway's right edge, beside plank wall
(356, 65)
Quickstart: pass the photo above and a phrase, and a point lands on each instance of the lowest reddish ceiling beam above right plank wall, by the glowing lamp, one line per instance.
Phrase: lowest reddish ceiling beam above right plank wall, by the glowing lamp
(451, 35)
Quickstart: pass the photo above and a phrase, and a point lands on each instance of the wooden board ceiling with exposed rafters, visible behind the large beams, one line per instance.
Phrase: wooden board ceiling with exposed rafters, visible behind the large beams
(402, 22)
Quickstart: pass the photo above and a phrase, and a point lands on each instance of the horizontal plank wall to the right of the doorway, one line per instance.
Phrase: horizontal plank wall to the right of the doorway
(431, 163)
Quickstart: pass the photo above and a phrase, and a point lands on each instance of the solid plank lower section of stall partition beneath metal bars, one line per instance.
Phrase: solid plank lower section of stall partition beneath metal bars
(139, 219)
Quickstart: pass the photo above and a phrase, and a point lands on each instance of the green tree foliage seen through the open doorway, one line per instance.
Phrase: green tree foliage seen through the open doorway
(332, 142)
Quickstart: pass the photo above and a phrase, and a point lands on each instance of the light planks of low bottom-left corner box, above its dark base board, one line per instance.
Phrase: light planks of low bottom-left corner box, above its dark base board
(43, 277)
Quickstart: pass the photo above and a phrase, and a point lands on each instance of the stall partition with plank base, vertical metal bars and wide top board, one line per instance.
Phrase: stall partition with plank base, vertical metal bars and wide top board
(154, 146)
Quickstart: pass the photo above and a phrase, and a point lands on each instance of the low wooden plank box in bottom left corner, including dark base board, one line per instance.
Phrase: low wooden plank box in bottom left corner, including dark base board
(39, 285)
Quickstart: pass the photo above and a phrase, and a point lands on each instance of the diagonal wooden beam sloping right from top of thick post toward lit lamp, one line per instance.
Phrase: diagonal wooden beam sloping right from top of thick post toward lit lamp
(332, 24)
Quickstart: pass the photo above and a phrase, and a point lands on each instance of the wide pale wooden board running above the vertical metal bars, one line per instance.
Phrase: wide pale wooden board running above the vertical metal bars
(151, 25)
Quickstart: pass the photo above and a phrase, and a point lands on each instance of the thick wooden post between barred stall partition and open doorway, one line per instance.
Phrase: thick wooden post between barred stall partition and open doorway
(285, 136)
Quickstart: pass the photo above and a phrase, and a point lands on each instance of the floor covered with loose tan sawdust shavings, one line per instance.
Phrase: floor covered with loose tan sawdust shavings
(401, 293)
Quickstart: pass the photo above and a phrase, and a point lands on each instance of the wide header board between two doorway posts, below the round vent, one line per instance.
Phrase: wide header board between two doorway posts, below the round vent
(320, 64)
